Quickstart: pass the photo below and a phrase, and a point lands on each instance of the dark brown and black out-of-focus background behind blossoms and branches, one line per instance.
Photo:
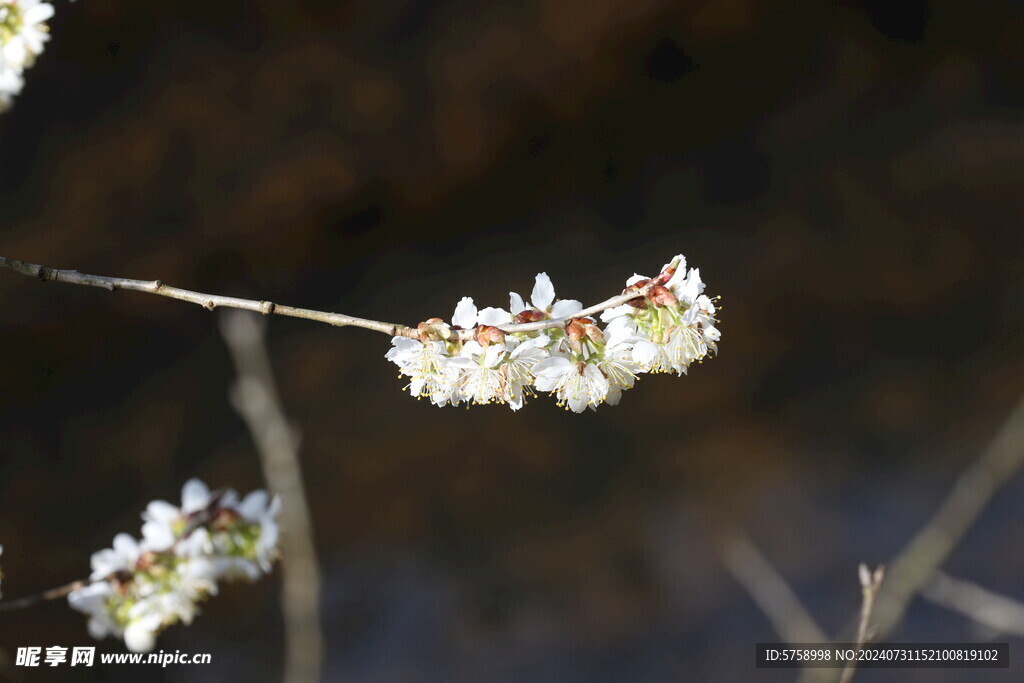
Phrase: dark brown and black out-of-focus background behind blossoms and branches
(846, 176)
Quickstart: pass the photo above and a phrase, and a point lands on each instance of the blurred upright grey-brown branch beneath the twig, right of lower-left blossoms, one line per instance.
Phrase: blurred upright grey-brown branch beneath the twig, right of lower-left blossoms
(255, 398)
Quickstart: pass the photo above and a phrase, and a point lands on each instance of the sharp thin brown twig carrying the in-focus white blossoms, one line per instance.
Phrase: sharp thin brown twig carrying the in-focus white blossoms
(212, 302)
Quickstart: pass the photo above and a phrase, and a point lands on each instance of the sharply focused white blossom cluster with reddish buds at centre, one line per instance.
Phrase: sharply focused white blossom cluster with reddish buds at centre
(485, 357)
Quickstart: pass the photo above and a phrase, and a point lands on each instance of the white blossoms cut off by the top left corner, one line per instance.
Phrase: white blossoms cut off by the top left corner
(23, 35)
